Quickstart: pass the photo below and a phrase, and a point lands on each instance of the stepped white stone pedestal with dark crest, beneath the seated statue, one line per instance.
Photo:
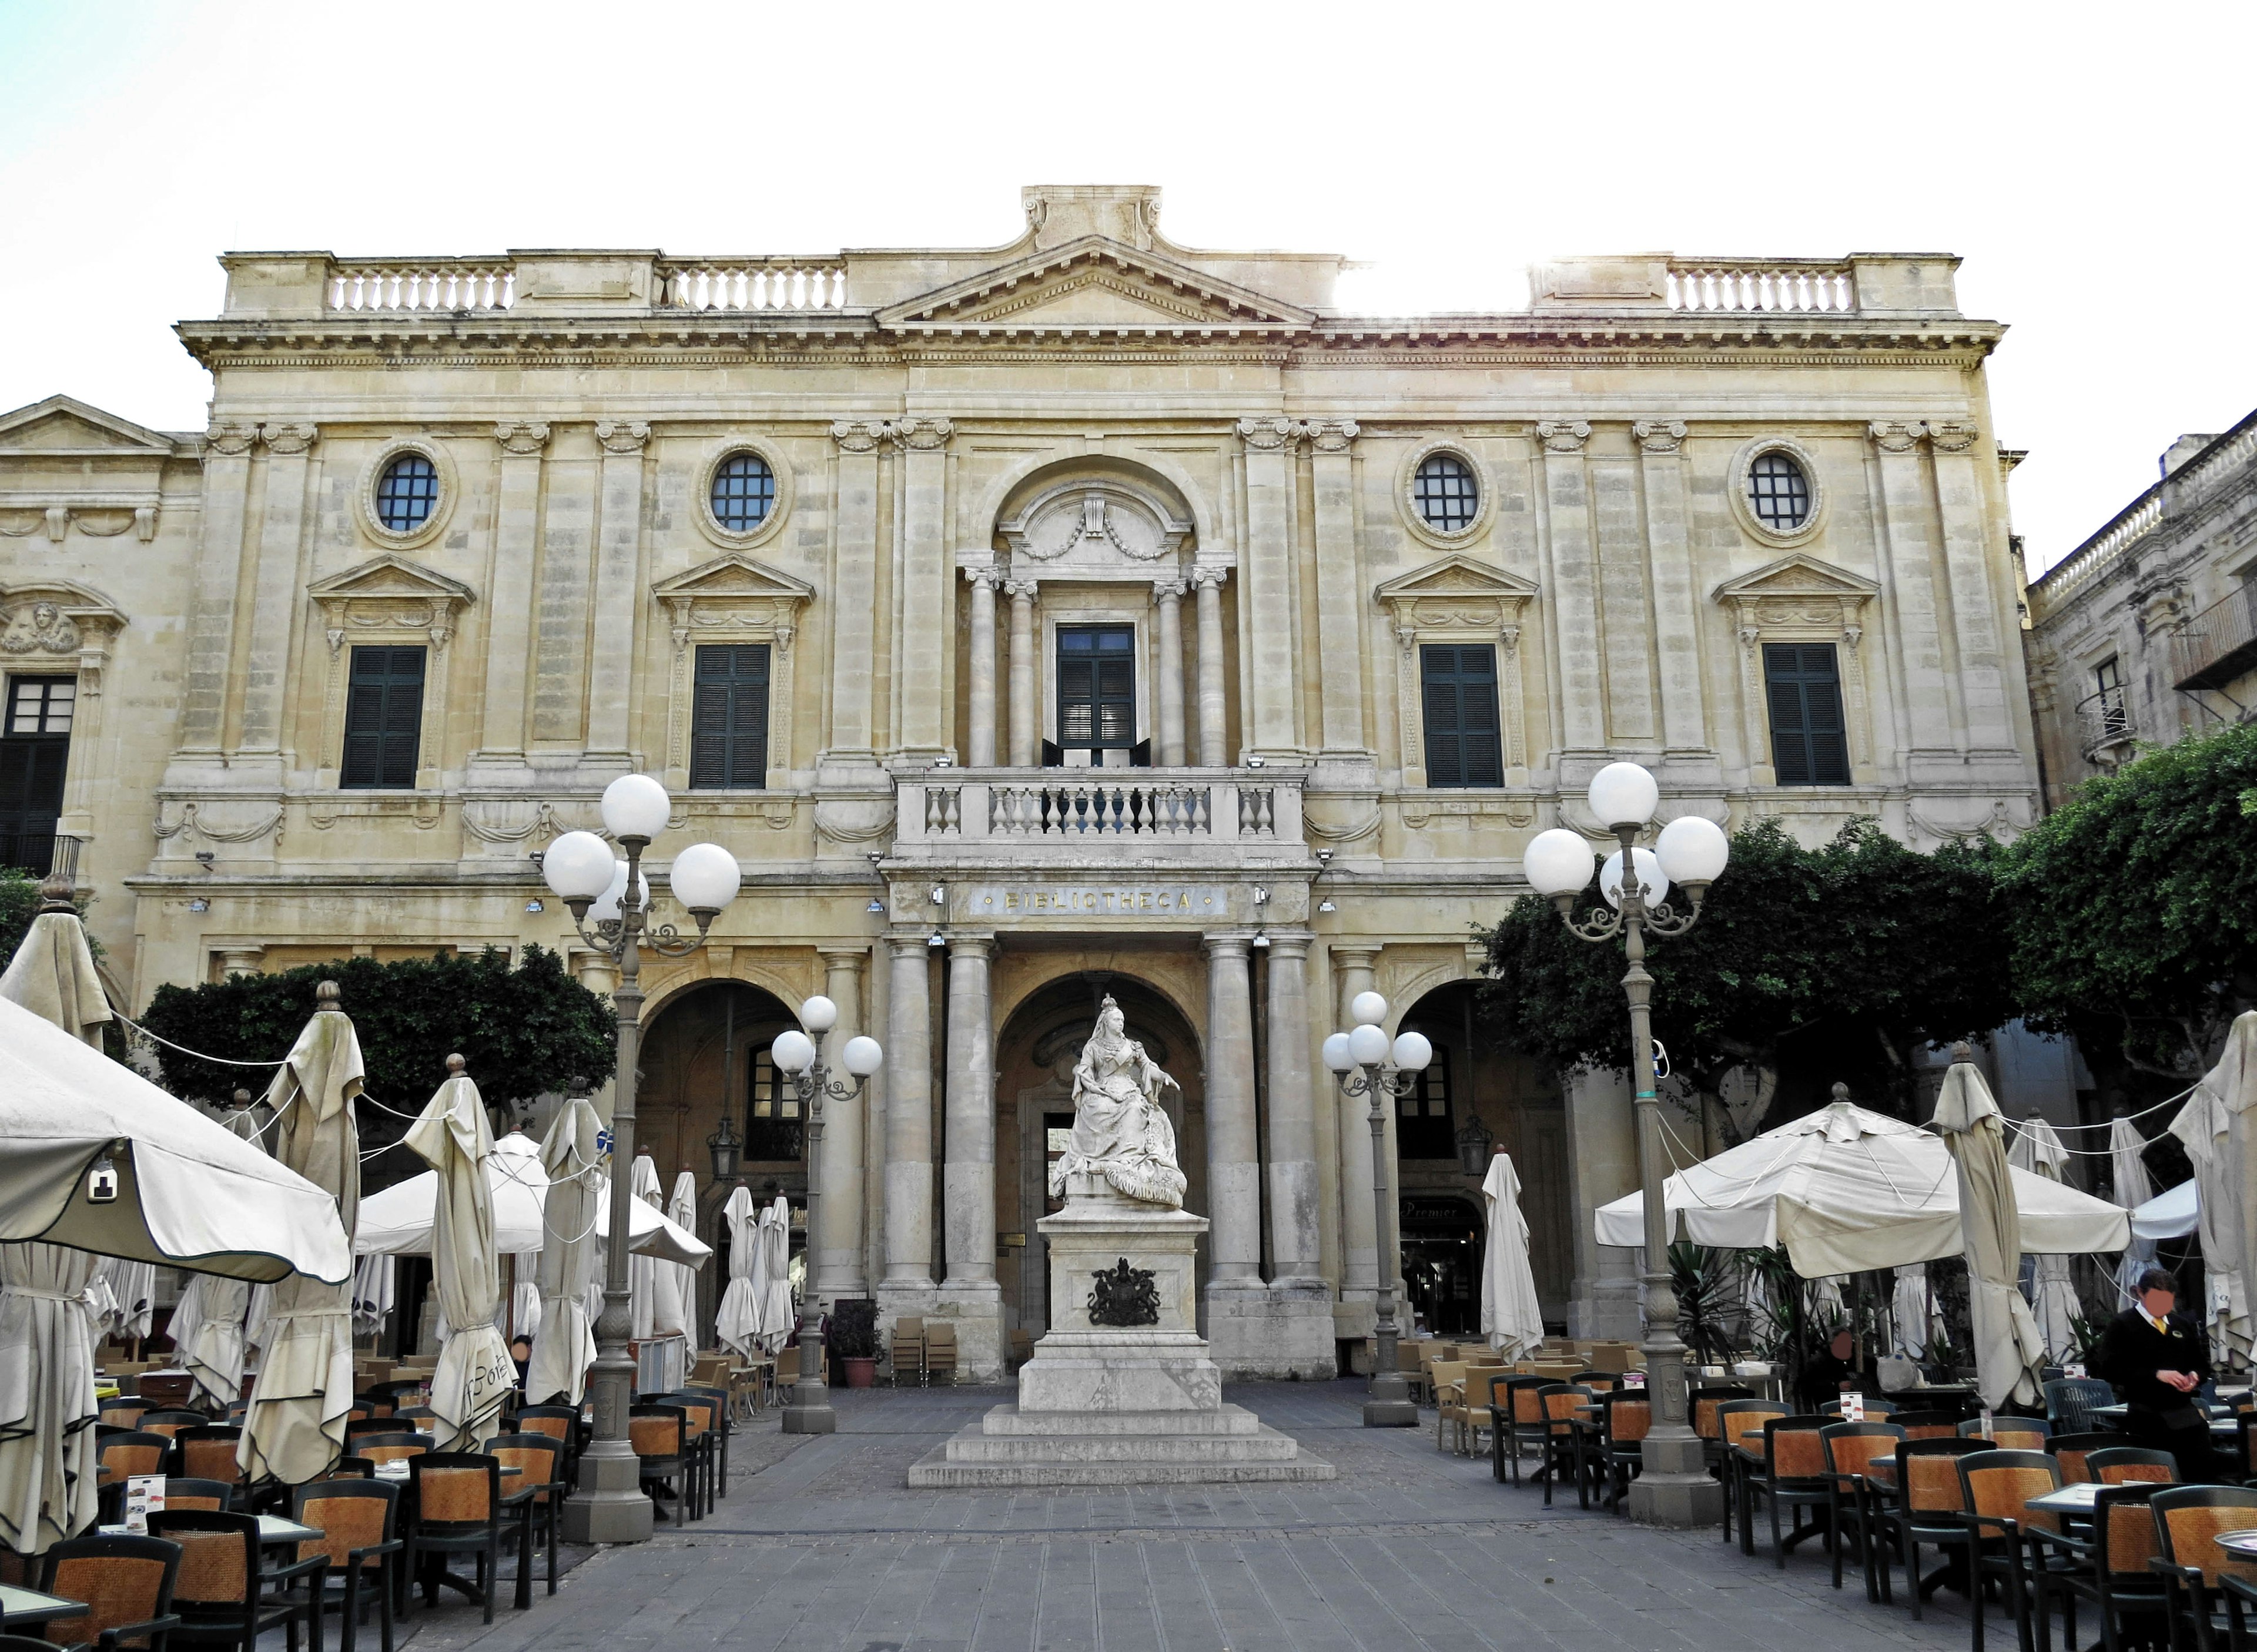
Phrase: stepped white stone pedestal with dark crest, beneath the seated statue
(1118, 1405)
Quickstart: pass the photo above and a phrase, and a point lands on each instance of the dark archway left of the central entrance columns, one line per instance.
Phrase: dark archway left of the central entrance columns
(705, 1053)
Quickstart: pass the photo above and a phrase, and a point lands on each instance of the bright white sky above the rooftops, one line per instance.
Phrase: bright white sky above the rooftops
(2089, 166)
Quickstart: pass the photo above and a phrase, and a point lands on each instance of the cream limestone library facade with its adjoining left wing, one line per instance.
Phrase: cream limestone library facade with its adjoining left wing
(1084, 615)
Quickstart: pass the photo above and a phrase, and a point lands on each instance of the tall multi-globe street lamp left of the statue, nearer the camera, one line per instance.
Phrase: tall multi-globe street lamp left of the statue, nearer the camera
(611, 1506)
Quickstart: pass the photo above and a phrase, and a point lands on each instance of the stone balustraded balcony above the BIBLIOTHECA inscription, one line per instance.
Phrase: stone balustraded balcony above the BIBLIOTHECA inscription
(1091, 818)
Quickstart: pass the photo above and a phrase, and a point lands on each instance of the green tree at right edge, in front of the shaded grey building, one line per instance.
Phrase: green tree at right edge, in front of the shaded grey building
(2134, 908)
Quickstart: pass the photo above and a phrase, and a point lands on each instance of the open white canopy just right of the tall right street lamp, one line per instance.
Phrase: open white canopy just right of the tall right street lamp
(1847, 1190)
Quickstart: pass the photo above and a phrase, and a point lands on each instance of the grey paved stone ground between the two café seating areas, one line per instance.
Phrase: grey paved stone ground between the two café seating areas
(820, 1547)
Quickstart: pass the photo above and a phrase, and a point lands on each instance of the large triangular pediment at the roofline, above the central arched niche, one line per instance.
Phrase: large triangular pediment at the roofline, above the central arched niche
(1096, 283)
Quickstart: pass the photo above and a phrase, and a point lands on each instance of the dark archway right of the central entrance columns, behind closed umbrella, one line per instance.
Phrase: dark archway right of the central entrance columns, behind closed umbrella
(1477, 1082)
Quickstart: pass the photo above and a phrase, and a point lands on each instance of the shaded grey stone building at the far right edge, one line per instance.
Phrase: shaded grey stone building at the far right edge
(2150, 629)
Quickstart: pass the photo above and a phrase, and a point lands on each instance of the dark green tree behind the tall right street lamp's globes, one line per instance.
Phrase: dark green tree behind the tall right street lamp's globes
(1863, 947)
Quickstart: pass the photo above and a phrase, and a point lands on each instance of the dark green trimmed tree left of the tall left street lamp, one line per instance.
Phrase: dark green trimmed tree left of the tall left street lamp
(520, 1030)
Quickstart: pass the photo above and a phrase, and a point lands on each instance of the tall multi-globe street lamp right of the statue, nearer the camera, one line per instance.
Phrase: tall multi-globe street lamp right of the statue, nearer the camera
(1674, 1486)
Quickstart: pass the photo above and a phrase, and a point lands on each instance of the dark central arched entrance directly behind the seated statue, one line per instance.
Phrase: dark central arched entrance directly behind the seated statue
(1035, 1107)
